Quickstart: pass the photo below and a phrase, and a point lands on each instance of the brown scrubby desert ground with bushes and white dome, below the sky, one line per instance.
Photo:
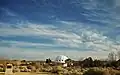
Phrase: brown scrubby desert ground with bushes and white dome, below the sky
(61, 66)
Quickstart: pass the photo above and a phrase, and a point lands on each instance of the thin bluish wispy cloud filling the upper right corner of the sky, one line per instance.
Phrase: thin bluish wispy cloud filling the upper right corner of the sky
(108, 14)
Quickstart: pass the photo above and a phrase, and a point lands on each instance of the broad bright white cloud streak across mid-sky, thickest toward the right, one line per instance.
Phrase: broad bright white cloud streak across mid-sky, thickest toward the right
(66, 38)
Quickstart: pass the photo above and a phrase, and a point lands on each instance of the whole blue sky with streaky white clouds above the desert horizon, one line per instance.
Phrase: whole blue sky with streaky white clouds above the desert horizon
(40, 29)
